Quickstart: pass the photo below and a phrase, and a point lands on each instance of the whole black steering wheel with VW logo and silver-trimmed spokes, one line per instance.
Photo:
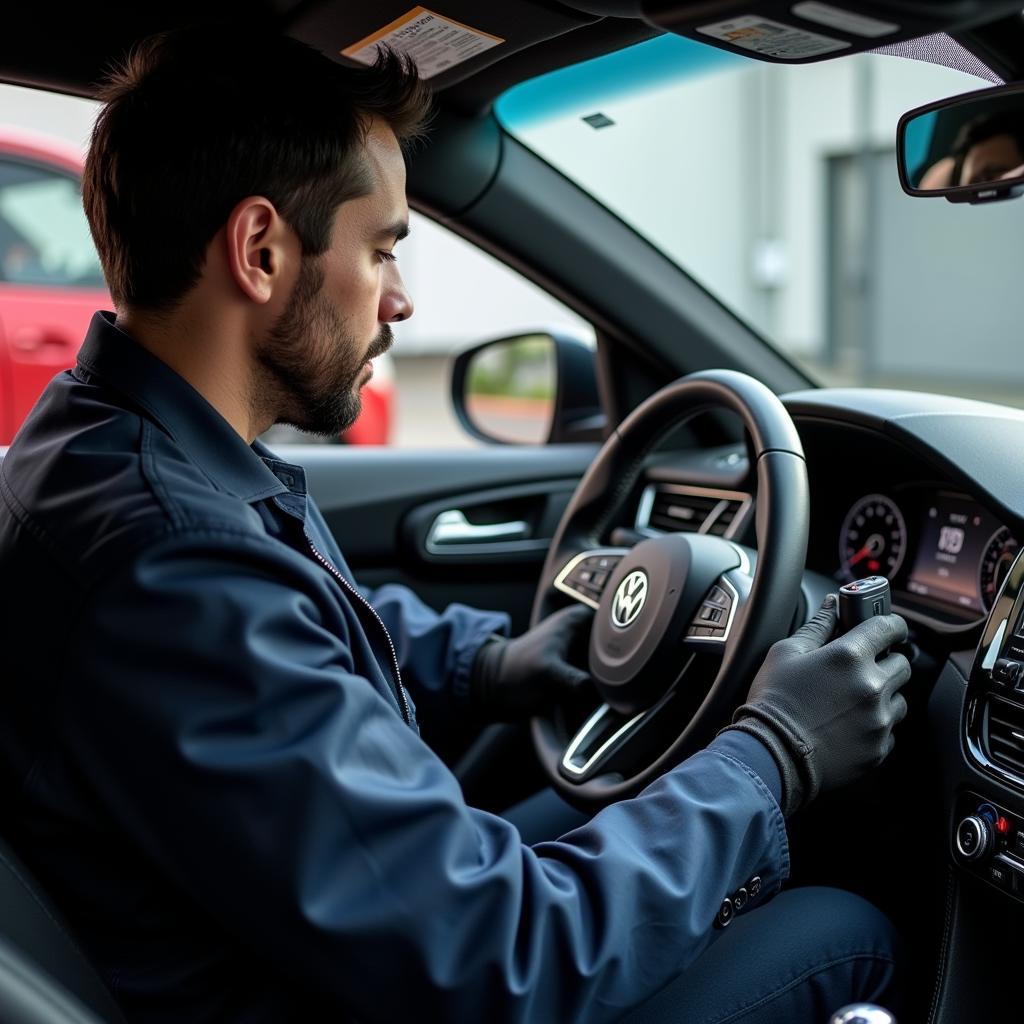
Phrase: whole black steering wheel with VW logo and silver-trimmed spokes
(682, 622)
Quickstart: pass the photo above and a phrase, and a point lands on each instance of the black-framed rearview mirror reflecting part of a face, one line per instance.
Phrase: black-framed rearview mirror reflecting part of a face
(969, 149)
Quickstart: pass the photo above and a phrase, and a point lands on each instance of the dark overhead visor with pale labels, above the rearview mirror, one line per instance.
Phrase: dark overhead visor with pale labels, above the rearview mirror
(807, 31)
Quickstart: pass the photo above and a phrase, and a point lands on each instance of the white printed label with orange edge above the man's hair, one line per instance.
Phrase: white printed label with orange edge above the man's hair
(436, 44)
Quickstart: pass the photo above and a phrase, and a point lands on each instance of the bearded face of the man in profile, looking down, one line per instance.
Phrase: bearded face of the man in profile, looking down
(317, 358)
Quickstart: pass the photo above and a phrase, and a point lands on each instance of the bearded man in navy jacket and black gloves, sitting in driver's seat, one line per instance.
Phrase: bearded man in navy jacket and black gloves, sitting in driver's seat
(209, 746)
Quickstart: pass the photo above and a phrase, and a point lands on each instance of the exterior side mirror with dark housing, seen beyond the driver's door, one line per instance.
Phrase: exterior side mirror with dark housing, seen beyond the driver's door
(529, 390)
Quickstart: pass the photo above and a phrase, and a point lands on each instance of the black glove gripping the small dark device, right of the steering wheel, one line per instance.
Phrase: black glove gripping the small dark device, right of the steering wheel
(827, 711)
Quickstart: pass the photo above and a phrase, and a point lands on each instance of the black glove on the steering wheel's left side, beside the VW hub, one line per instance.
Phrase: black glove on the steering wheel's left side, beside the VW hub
(515, 678)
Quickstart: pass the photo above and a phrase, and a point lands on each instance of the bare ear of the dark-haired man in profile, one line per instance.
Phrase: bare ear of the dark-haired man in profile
(258, 241)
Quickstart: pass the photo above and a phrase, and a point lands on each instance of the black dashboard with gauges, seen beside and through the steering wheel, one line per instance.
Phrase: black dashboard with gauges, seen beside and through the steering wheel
(913, 487)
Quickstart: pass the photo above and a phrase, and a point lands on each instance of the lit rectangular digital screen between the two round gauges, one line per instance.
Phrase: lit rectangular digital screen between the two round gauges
(955, 534)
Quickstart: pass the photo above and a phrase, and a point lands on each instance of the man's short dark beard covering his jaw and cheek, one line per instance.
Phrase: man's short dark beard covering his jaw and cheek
(310, 365)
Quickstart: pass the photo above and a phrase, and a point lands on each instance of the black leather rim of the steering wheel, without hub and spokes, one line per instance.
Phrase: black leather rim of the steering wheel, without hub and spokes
(782, 529)
